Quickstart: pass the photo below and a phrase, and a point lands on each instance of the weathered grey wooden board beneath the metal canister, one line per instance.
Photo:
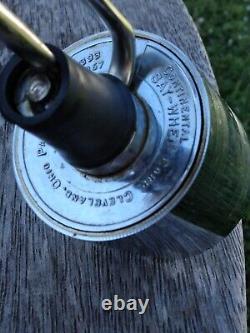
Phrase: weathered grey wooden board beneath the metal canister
(51, 283)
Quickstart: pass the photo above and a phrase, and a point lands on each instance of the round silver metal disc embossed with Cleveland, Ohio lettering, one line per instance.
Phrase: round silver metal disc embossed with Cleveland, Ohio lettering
(106, 208)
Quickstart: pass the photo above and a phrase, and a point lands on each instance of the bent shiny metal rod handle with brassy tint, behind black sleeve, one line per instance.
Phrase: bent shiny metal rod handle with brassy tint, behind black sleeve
(20, 39)
